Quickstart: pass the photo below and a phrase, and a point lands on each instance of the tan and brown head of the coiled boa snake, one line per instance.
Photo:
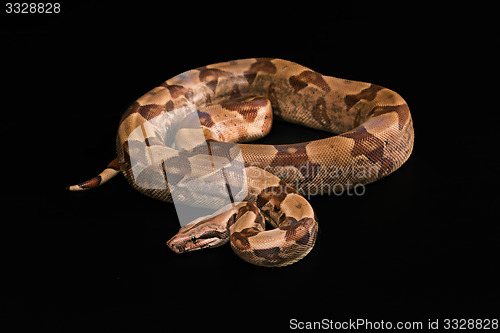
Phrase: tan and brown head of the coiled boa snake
(197, 236)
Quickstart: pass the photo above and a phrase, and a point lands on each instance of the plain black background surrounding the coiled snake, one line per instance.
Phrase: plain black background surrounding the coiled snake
(420, 244)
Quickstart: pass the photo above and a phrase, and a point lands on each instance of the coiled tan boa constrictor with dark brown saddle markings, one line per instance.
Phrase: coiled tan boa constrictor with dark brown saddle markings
(235, 102)
